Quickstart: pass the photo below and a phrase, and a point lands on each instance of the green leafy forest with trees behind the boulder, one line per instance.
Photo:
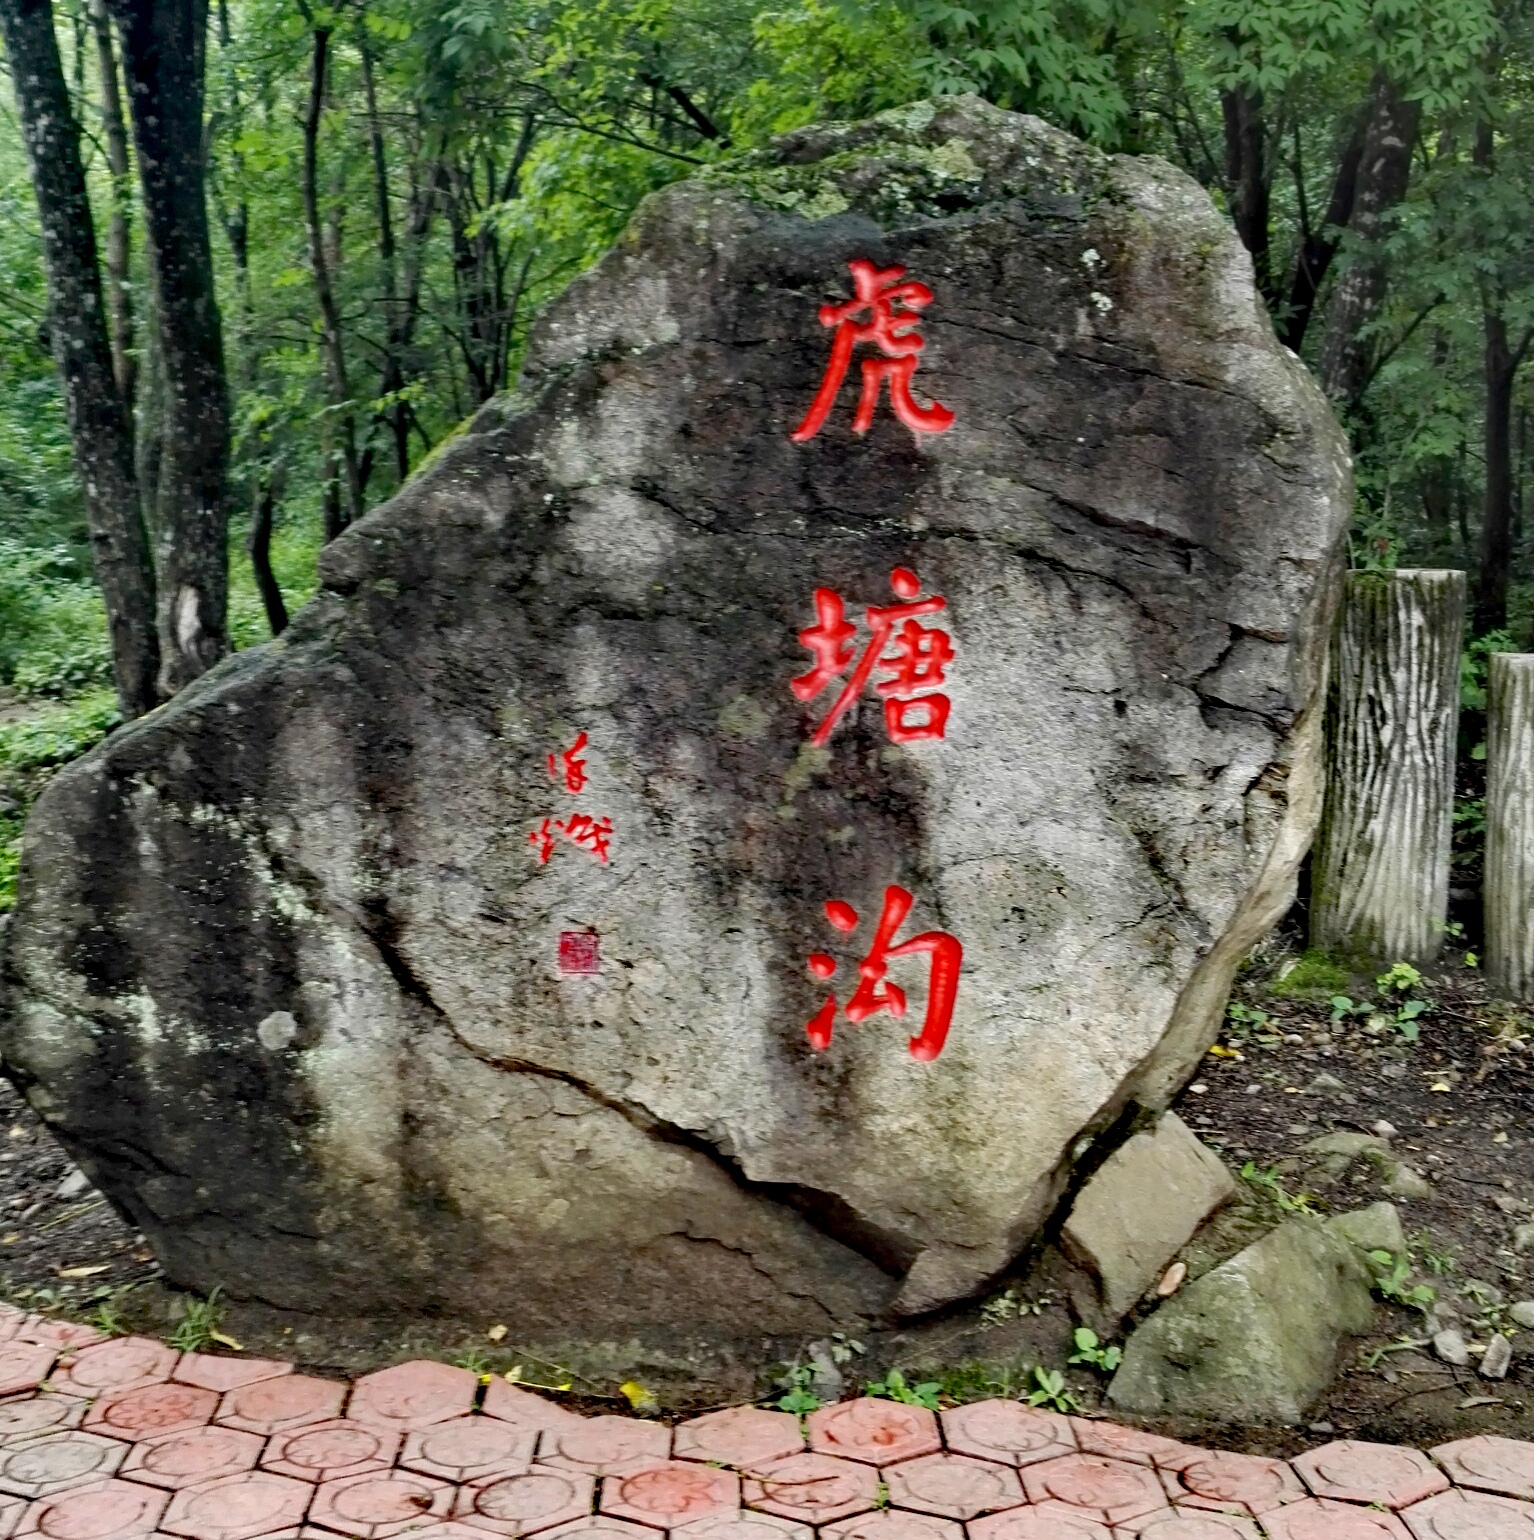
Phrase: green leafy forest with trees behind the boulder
(318, 244)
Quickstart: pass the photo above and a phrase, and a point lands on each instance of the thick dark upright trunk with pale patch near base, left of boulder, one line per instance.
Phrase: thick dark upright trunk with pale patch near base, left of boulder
(164, 55)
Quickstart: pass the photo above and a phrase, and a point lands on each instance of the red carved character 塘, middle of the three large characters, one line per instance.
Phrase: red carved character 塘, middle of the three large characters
(916, 668)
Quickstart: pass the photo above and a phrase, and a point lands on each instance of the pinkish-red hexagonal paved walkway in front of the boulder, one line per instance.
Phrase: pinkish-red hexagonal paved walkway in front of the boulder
(121, 1439)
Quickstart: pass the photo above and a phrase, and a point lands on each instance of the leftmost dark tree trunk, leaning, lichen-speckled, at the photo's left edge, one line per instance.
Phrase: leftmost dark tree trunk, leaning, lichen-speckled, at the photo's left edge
(76, 318)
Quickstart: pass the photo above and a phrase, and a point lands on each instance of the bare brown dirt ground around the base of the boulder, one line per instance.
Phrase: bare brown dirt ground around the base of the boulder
(1459, 1099)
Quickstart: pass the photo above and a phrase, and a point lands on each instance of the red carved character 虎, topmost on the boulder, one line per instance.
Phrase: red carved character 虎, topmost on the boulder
(894, 333)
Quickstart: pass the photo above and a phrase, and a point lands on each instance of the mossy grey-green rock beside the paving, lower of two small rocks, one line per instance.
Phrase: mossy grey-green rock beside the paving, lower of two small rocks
(1256, 1339)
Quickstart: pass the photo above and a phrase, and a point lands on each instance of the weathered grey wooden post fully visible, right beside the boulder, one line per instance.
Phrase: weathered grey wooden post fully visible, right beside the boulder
(1381, 875)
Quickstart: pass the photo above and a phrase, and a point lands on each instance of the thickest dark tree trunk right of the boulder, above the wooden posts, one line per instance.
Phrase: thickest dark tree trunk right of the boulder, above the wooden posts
(1384, 172)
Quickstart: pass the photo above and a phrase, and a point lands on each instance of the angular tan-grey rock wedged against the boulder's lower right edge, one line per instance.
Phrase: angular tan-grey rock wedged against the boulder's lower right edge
(1140, 1208)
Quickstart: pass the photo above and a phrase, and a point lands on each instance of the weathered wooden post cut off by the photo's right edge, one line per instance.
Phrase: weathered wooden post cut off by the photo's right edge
(1509, 885)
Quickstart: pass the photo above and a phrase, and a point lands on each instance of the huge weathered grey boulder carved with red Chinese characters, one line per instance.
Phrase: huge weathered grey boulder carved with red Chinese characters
(295, 985)
